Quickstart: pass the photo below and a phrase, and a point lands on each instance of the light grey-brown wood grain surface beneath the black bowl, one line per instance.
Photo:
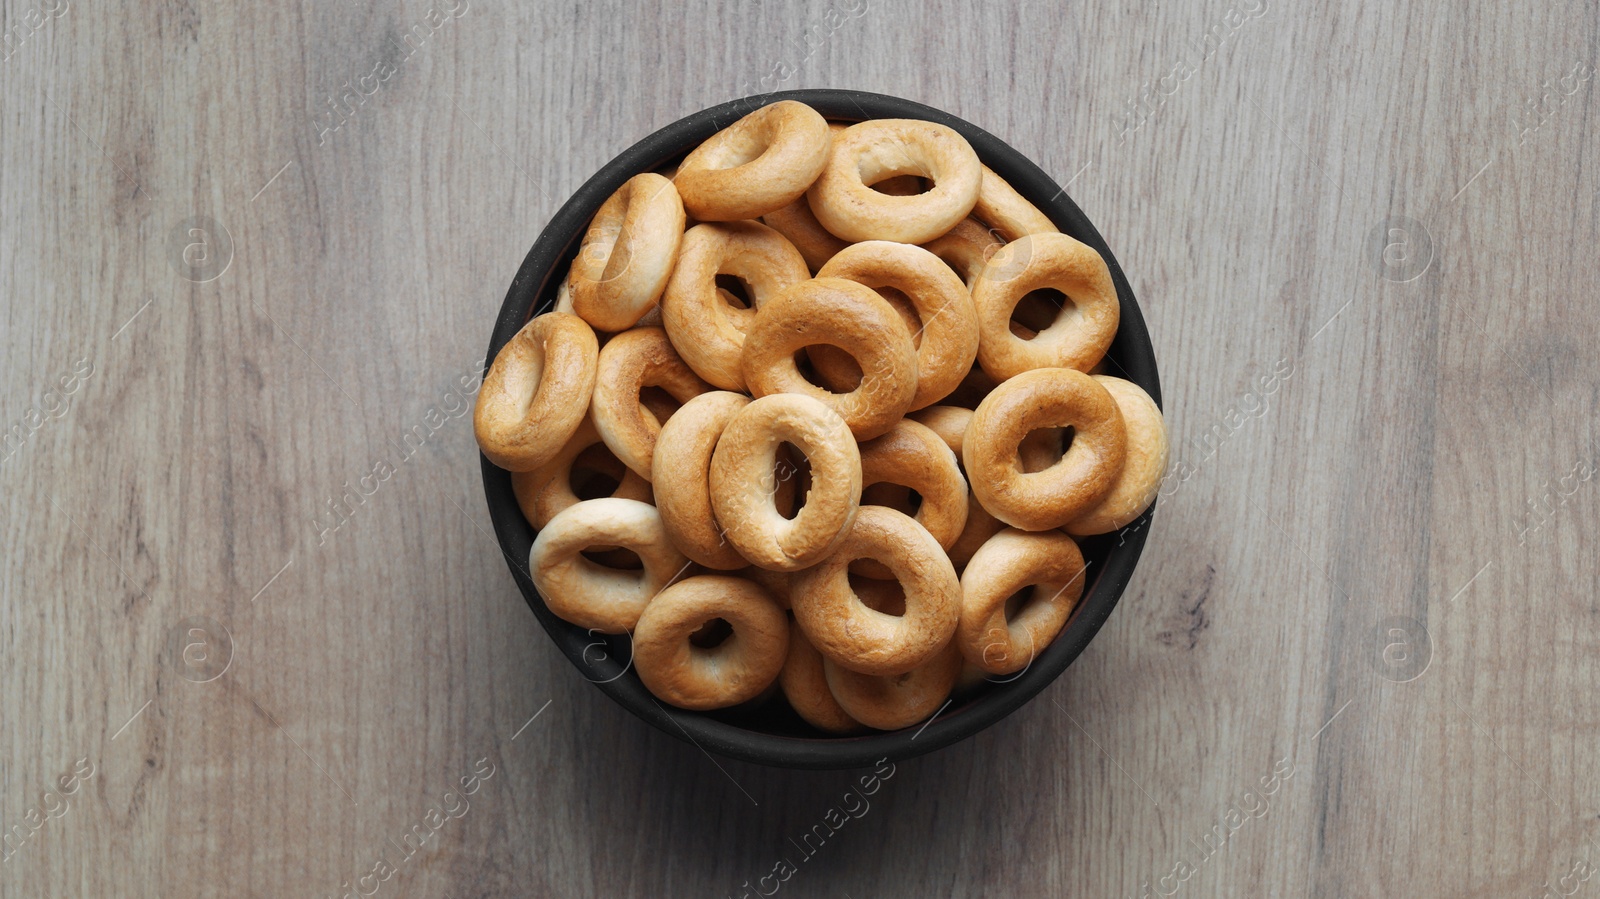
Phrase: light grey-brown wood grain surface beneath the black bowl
(1377, 575)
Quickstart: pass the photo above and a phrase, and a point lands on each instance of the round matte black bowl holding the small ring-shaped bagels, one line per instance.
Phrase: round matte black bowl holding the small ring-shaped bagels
(772, 733)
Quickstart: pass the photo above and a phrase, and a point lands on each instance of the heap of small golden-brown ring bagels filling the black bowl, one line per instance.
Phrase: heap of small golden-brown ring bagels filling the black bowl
(806, 422)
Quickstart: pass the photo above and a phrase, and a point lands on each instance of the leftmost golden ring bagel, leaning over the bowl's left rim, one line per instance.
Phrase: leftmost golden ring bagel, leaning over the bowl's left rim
(537, 393)
